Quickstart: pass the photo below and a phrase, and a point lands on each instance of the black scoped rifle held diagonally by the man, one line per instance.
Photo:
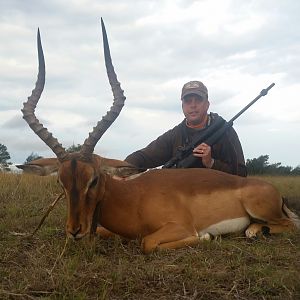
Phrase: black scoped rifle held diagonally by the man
(184, 156)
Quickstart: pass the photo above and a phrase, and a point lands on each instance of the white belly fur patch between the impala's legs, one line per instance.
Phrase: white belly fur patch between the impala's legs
(227, 226)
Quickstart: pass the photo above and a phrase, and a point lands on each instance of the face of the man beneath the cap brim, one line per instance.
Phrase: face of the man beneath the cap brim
(195, 109)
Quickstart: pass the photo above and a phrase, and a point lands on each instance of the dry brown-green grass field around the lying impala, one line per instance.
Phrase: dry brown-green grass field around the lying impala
(48, 266)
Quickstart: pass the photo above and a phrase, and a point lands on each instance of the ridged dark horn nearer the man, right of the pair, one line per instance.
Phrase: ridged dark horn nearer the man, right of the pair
(118, 103)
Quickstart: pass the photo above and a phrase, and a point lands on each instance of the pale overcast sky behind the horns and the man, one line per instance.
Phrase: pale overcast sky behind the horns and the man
(236, 48)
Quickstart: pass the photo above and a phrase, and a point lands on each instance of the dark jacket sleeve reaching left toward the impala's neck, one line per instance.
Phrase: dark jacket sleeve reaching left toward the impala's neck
(157, 153)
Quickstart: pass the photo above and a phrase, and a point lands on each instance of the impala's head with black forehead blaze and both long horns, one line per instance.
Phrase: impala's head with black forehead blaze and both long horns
(80, 174)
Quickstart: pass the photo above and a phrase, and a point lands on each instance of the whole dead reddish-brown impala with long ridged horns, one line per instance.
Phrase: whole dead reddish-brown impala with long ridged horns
(166, 208)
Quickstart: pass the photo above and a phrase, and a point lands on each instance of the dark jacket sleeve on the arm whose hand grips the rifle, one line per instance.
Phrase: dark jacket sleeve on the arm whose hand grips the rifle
(228, 155)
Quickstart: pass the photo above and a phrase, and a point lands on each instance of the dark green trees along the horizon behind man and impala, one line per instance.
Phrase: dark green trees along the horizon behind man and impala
(255, 166)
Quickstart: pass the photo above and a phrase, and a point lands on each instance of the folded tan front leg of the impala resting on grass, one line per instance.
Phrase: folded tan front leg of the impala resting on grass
(170, 236)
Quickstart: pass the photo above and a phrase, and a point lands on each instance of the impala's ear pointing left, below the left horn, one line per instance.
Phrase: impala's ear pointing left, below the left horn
(41, 167)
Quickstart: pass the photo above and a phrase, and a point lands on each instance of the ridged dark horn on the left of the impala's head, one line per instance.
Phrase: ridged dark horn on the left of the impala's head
(30, 105)
